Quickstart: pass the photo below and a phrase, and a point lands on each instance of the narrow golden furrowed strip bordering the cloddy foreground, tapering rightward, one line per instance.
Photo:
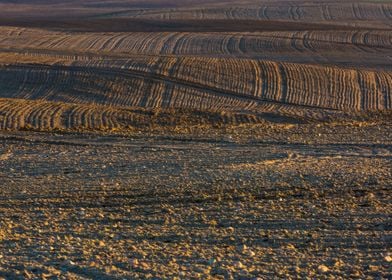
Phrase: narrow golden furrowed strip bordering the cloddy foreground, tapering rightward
(43, 115)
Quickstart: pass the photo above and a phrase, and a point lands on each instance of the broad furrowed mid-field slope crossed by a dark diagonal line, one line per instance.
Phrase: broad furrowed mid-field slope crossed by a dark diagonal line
(173, 82)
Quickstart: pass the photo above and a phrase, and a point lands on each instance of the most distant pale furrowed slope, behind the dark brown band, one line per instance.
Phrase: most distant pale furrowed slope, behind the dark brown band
(348, 13)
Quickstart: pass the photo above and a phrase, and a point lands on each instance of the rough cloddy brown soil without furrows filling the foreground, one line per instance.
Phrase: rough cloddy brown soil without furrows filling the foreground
(303, 202)
